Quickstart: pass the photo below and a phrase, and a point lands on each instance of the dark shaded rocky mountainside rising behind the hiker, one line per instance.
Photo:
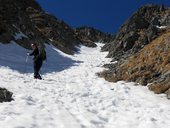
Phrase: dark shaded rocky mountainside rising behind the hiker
(23, 21)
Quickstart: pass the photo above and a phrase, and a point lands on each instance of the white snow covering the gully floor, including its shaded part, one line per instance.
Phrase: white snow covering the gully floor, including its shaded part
(73, 96)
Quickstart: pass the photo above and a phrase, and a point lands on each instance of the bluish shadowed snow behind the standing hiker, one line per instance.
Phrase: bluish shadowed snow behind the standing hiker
(14, 57)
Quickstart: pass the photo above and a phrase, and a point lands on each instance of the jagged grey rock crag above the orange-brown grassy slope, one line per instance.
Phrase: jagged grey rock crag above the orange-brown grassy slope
(139, 30)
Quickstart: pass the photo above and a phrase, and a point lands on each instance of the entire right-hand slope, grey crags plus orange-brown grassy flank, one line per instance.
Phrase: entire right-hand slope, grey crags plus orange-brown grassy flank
(142, 48)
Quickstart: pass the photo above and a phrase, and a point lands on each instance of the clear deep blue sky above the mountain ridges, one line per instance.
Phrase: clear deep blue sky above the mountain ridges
(105, 15)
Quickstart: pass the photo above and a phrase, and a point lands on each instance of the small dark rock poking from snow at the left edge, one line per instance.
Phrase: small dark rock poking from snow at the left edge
(5, 95)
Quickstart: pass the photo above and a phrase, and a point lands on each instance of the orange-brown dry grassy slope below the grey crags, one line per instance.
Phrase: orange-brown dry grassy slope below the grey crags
(148, 65)
